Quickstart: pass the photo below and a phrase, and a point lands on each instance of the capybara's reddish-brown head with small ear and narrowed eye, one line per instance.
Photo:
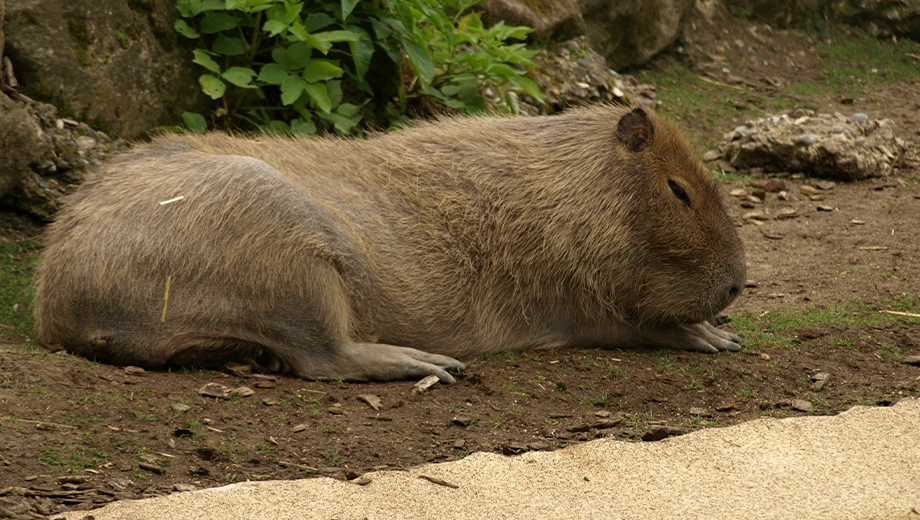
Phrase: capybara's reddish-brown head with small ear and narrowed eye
(690, 259)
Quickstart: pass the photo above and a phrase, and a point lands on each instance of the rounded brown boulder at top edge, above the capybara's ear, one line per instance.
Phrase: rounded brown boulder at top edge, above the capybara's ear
(629, 33)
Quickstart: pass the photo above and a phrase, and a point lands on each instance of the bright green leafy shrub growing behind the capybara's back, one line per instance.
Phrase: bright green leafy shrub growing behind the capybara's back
(288, 66)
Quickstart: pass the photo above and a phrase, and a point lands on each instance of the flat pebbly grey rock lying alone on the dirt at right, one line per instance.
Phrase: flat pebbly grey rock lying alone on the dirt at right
(823, 145)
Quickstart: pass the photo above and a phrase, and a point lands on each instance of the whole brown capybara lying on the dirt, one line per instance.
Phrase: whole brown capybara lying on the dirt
(388, 257)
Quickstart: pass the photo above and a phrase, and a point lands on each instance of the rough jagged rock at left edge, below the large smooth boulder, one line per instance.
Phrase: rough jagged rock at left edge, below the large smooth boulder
(43, 157)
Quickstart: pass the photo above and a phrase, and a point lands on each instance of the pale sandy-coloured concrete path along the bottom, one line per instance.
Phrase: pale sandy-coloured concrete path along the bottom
(862, 464)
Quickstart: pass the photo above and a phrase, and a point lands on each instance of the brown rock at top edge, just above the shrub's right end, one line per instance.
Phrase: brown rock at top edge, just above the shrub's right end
(559, 20)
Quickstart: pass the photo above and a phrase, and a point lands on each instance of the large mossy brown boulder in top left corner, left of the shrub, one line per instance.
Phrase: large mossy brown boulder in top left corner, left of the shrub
(116, 64)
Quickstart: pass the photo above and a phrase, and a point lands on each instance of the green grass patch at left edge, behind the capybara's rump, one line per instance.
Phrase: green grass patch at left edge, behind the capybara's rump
(17, 262)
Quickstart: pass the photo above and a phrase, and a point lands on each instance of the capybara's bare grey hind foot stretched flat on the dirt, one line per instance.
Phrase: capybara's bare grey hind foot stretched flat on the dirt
(379, 362)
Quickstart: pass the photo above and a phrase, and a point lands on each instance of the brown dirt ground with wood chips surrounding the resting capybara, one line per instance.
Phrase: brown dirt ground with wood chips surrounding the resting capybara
(76, 434)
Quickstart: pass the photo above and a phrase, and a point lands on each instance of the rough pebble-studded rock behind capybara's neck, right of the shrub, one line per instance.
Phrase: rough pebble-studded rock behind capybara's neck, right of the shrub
(571, 74)
